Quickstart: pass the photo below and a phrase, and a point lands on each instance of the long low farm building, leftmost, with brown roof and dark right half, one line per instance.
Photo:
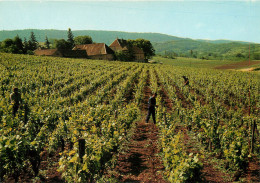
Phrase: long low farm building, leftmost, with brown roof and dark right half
(61, 53)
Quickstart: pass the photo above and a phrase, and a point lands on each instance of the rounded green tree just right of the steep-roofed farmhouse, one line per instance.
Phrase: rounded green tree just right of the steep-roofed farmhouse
(145, 45)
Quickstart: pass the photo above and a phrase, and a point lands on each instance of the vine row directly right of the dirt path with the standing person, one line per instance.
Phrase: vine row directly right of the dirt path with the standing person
(180, 166)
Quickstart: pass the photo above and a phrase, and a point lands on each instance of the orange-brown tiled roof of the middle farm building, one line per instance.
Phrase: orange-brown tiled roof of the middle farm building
(95, 49)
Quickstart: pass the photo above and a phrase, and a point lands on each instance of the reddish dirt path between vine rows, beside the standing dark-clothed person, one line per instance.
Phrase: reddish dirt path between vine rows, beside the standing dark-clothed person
(140, 161)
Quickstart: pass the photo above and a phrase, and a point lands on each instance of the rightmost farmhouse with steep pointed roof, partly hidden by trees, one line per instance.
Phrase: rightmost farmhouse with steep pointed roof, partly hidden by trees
(122, 45)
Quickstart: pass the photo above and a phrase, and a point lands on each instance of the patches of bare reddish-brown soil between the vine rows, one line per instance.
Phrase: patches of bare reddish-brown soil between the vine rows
(140, 161)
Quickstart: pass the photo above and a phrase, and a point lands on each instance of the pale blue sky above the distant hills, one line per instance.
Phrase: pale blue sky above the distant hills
(233, 20)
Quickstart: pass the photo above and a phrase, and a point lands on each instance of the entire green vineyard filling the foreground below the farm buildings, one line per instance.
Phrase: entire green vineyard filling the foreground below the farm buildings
(84, 121)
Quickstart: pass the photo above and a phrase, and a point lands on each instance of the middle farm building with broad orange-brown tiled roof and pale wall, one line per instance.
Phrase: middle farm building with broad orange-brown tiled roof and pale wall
(97, 51)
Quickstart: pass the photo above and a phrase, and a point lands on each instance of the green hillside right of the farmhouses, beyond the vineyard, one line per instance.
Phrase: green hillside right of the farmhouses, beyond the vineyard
(208, 49)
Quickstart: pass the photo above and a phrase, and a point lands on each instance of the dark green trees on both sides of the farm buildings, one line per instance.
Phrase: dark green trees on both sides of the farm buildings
(17, 46)
